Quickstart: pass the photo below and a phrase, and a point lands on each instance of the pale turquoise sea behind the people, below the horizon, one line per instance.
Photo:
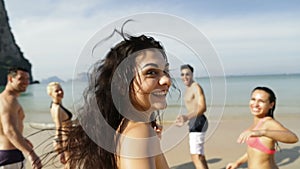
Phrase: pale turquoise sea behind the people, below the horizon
(36, 102)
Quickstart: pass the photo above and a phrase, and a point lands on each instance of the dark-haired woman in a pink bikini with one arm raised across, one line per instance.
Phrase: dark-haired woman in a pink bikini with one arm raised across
(263, 135)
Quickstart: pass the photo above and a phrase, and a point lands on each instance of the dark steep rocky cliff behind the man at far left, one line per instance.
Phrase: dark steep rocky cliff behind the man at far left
(10, 53)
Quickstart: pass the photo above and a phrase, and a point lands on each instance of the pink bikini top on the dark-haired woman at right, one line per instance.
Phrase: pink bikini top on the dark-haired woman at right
(255, 142)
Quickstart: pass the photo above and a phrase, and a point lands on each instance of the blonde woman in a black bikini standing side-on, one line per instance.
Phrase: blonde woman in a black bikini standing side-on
(61, 117)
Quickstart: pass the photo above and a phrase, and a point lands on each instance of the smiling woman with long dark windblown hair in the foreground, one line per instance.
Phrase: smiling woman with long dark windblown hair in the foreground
(125, 89)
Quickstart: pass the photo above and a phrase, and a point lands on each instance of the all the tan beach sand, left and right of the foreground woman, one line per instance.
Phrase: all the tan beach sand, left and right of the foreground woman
(221, 147)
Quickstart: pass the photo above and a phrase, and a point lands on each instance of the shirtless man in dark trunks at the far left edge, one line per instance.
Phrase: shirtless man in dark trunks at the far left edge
(13, 146)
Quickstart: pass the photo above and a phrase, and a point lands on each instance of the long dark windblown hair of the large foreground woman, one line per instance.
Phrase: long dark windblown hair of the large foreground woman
(100, 109)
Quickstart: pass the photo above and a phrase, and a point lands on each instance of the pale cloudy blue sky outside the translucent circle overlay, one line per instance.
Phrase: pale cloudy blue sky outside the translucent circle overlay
(249, 36)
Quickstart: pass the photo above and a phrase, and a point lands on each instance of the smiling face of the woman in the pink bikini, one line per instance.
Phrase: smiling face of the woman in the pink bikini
(260, 103)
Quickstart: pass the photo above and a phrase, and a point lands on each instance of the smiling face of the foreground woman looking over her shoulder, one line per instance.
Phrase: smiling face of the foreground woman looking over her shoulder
(151, 82)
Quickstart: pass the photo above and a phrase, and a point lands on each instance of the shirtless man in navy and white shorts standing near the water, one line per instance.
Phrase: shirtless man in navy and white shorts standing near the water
(194, 100)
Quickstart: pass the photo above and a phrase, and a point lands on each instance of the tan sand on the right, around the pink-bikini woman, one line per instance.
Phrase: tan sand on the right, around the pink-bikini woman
(222, 148)
